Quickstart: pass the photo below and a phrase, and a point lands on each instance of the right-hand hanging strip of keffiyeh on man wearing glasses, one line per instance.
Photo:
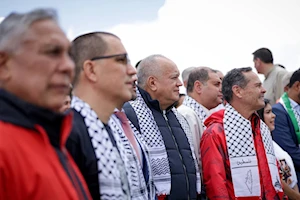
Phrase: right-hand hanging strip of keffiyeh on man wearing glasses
(137, 184)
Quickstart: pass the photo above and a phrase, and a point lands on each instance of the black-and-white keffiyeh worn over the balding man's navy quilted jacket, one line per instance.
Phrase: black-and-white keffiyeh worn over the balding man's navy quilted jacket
(151, 136)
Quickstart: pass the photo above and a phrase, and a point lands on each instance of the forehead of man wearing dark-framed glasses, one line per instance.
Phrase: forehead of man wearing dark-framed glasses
(114, 45)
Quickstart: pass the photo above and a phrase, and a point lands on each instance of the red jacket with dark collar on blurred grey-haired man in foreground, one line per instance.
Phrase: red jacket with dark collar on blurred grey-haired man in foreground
(31, 168)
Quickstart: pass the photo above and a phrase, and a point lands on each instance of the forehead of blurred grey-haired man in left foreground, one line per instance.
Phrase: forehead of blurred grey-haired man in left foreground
(45, 32)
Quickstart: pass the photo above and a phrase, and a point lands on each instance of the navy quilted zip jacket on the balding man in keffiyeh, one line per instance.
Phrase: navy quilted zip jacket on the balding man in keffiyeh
(182, 165)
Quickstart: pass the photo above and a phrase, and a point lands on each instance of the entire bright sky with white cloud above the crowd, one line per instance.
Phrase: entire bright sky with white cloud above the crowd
(221, 34)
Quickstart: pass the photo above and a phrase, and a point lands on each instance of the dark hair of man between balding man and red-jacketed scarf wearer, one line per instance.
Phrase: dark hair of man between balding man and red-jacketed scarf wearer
(198, 74)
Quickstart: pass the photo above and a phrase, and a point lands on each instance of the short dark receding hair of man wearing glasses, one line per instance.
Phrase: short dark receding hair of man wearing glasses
(87, 46)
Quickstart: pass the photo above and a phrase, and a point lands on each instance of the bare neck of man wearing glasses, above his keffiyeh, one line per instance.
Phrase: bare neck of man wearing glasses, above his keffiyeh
(99, 102)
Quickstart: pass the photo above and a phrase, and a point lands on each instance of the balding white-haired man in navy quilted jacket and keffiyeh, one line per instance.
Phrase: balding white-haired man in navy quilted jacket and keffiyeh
(163, 130)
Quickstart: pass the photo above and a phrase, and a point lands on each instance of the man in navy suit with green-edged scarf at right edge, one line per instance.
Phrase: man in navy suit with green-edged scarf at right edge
(287, 121)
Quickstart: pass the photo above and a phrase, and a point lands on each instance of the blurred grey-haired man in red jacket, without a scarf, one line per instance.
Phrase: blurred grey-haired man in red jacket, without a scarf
(35, 74)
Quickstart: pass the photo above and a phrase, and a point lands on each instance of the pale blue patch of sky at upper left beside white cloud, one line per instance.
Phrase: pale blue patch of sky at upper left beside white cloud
(90, 14)
